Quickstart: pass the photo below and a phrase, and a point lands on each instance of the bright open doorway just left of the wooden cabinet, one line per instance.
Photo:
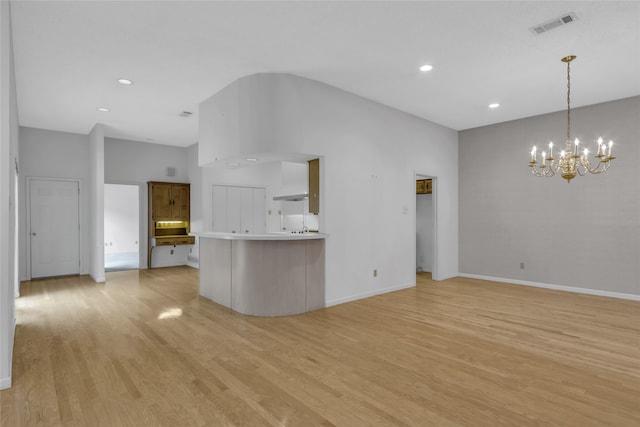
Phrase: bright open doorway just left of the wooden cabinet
(121, 227)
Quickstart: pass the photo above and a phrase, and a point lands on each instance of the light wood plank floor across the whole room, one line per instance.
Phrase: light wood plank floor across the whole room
(144, 349)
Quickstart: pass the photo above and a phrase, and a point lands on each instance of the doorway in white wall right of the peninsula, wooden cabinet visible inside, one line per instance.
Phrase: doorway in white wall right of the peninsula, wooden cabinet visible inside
(426, 254)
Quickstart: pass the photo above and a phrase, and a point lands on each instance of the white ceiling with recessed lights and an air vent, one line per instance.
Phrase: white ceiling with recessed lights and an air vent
(69, 54)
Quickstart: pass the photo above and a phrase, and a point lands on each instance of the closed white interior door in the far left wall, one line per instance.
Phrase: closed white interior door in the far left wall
(54, 228)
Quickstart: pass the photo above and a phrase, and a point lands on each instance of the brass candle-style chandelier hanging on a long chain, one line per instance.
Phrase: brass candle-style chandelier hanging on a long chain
(571, 162)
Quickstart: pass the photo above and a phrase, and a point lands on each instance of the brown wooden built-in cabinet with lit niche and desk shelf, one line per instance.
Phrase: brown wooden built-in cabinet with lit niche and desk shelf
(169, 215)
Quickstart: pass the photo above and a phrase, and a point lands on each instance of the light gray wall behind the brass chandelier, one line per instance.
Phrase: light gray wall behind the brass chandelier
(584, 234)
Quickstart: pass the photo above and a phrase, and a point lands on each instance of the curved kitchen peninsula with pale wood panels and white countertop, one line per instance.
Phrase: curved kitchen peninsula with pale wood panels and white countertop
(274, 274)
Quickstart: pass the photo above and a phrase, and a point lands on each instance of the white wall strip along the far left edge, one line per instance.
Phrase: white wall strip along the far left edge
(8, 159)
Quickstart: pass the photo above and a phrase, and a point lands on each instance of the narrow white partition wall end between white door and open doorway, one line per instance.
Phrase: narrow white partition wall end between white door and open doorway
(96, 194)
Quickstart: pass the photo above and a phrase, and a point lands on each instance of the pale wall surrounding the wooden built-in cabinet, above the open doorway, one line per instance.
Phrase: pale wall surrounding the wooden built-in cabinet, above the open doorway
(133, 162)
